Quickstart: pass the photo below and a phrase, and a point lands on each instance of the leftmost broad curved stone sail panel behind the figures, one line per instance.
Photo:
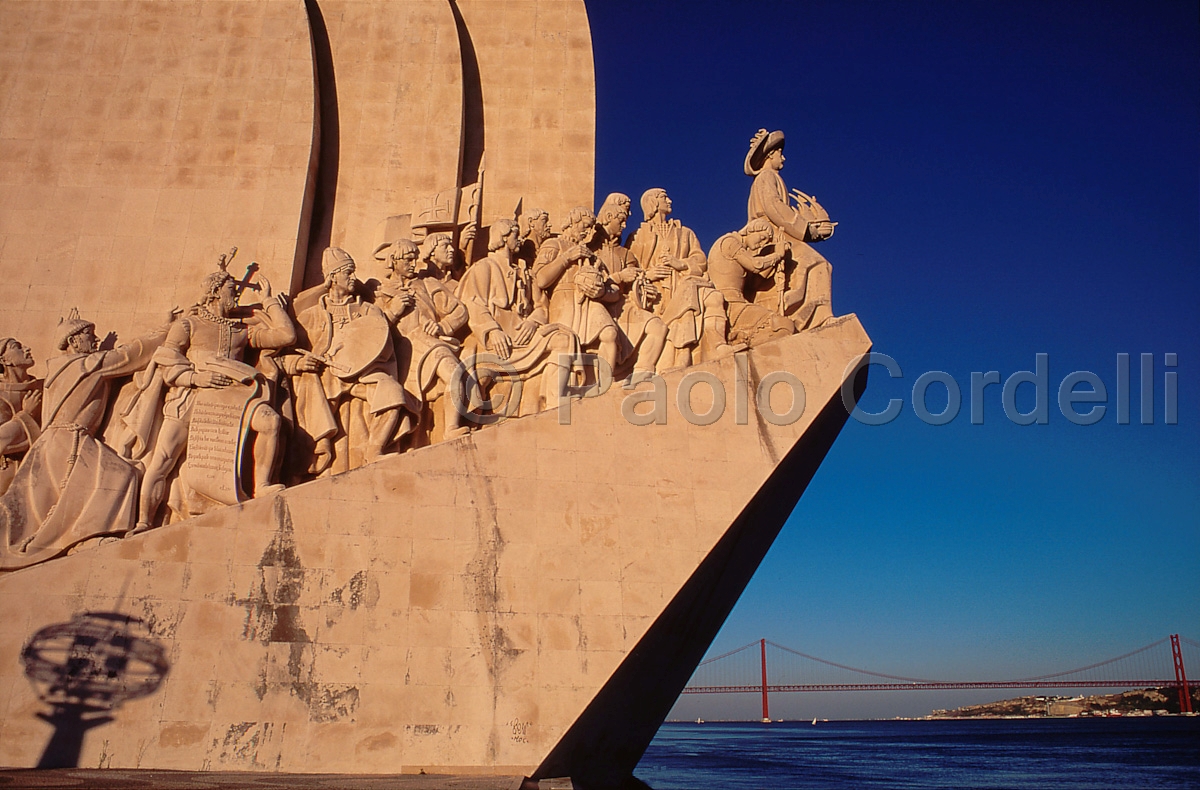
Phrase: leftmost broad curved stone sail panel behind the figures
(139, 141)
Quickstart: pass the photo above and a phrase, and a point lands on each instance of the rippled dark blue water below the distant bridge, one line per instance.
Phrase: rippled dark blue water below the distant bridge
(1036, 755)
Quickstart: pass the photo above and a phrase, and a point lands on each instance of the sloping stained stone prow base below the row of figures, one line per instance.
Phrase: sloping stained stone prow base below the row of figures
(493, 605)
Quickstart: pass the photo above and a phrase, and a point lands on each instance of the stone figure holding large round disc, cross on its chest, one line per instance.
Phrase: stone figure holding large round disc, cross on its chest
(349, 399)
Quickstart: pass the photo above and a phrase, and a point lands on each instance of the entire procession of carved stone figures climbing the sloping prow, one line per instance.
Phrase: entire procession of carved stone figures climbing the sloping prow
(248, 390)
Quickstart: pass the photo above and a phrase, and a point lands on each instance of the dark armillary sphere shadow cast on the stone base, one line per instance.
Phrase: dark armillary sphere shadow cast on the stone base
(86, 671)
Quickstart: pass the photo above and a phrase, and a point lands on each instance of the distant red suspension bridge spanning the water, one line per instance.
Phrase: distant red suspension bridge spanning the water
(746, 671)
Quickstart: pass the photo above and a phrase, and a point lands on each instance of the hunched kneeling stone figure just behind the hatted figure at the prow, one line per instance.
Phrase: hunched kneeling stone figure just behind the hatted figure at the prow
(735, 264)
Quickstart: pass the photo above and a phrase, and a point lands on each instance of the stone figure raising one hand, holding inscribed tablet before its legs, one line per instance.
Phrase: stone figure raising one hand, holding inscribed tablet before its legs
(214, 402)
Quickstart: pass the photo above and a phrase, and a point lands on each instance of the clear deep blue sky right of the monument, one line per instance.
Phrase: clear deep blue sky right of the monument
(1010, 179)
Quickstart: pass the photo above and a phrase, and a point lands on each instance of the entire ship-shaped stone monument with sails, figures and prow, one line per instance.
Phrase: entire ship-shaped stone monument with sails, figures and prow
(459, 495)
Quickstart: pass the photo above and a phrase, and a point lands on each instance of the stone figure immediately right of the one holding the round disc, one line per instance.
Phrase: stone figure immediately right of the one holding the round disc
(428, 316)
